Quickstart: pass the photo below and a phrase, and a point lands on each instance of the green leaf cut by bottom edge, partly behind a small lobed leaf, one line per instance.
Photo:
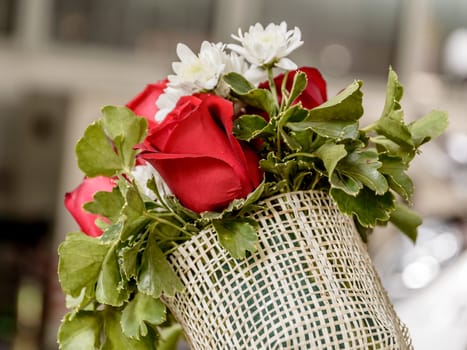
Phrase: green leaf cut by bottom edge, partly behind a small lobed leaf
(115, 339)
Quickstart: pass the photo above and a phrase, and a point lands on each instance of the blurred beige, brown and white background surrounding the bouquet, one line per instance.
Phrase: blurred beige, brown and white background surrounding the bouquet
(62, 60)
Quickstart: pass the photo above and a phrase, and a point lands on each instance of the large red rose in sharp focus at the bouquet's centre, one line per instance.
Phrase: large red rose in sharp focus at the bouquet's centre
(195, 152)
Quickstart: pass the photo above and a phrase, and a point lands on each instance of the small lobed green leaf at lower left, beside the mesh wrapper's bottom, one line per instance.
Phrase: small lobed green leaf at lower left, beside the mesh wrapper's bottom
(143, 308)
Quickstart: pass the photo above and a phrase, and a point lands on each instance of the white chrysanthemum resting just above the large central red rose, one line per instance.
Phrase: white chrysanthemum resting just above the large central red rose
(196, 73)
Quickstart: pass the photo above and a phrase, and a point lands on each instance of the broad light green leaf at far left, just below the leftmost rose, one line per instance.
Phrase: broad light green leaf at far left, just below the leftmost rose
(80, 262)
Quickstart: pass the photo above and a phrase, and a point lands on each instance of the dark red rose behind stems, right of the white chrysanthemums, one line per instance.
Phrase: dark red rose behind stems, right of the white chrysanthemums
(314, 93)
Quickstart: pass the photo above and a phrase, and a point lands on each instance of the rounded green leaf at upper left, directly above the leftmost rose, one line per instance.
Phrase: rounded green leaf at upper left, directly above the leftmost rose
(95, 153)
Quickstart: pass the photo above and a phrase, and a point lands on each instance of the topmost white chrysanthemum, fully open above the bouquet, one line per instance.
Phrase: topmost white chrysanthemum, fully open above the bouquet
(268, 46)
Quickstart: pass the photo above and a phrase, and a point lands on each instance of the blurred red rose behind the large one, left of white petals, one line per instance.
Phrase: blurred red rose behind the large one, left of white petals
(144, 104)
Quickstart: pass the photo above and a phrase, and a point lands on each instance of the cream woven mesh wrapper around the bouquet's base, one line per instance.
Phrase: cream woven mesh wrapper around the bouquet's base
(310, 285)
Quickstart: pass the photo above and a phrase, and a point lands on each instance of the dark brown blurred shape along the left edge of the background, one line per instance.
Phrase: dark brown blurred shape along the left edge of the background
(30, 137)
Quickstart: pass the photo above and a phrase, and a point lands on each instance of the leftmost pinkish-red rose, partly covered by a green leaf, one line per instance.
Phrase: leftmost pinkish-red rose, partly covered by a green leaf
(84, 193)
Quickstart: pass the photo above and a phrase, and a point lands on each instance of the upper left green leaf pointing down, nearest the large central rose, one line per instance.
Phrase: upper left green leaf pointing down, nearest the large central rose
(126, 130)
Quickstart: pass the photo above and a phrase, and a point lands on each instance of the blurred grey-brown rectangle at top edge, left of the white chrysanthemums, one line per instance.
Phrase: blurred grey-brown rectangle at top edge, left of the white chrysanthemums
(130, 23)
